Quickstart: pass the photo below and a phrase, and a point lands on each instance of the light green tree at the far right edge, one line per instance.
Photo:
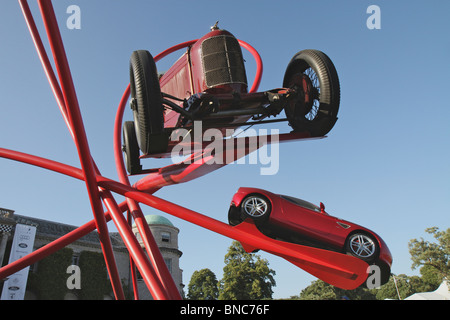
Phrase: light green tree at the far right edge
(433, 257)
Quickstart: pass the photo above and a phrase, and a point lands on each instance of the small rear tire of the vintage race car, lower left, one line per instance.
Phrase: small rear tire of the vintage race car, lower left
(131, 148)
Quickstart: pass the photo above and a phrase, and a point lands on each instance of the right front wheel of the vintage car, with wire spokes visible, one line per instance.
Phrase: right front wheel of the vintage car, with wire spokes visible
(316, 107)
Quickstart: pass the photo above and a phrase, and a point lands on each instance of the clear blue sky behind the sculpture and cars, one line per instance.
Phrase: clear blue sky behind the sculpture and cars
(384, 165)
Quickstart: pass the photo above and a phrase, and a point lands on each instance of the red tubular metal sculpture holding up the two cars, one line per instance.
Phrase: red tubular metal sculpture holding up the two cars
(337, 269)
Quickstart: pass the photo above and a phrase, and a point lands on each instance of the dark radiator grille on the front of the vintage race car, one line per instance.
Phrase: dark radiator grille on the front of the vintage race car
(222, 61)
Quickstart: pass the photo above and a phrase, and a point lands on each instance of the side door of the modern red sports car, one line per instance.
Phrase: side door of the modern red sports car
(306, 219)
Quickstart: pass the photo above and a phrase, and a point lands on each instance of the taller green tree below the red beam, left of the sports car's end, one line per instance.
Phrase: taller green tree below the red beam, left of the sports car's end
(246, 276)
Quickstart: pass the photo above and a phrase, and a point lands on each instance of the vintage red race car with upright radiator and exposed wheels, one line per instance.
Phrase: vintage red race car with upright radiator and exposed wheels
(208, 83)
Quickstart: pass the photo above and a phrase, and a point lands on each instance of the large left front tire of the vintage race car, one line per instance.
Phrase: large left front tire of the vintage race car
(146, 99)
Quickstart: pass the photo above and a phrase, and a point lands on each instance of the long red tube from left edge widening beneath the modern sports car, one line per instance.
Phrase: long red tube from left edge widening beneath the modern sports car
(348, 273)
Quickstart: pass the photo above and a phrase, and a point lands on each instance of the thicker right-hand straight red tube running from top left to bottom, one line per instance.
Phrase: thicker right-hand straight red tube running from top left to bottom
(75, 119)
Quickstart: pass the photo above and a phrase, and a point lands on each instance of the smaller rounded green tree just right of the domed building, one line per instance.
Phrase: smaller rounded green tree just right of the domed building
(203, 286)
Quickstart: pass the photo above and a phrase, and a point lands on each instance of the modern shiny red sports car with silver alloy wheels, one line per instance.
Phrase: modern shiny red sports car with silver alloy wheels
(298, 221)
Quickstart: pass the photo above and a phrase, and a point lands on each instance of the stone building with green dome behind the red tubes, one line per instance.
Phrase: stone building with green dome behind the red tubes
(164, 232)
